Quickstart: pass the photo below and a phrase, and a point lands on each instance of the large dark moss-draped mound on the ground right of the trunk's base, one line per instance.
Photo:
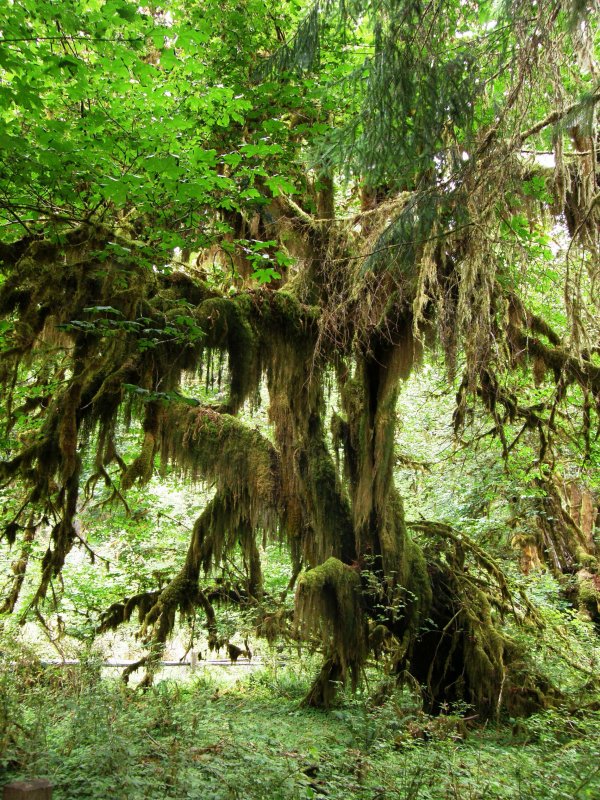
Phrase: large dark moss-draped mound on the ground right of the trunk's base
(462, 654)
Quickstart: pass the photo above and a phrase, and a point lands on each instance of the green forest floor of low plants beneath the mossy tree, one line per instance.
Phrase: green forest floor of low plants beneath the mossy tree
(225, 738)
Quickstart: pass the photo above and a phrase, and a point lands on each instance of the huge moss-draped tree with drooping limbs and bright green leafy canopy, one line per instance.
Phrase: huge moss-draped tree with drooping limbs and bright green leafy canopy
(193, 206)
